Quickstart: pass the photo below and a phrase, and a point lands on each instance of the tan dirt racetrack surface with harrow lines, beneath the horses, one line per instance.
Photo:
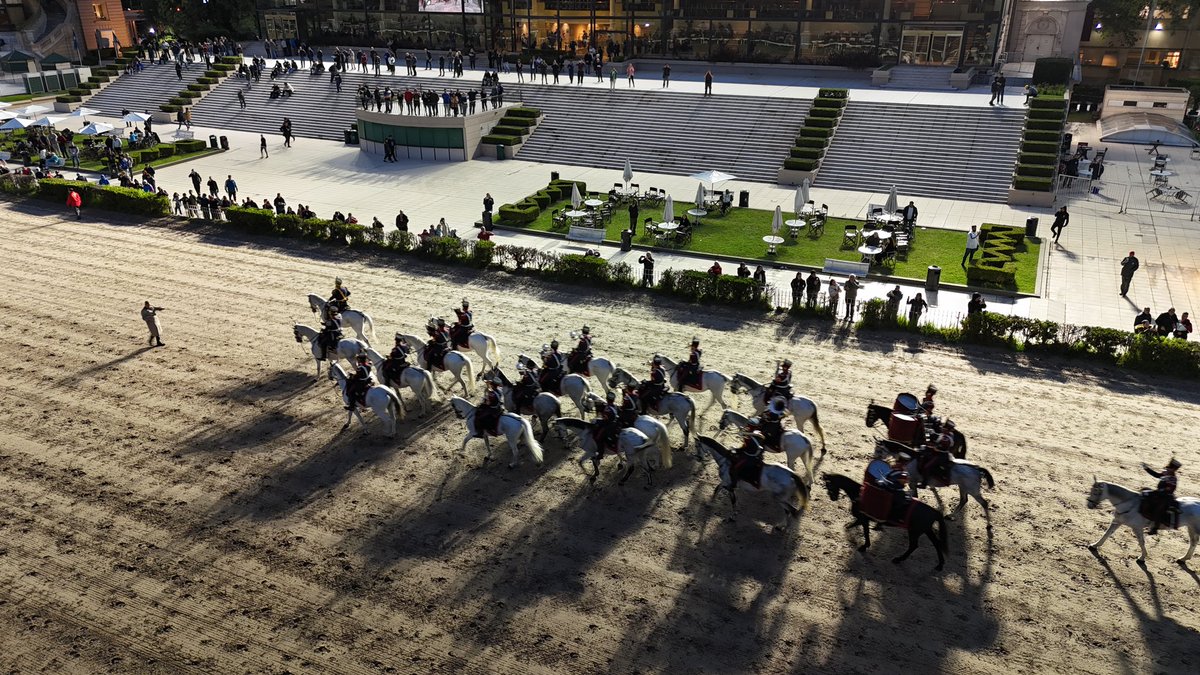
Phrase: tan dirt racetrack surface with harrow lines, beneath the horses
(196, 509)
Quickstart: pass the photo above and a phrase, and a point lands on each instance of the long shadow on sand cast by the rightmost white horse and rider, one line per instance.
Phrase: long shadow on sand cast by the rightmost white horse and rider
(1168, 643)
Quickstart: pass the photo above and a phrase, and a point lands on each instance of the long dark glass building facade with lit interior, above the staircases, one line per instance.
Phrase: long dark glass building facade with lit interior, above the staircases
(849, 33)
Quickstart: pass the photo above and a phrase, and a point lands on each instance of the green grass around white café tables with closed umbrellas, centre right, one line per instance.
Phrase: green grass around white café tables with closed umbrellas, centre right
(741, 232)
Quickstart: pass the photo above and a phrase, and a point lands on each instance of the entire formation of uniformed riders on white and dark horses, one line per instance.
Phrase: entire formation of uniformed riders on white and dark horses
(920, 450)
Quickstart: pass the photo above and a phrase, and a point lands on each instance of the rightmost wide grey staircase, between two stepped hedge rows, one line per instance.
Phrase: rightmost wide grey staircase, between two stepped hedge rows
(944, 152)
